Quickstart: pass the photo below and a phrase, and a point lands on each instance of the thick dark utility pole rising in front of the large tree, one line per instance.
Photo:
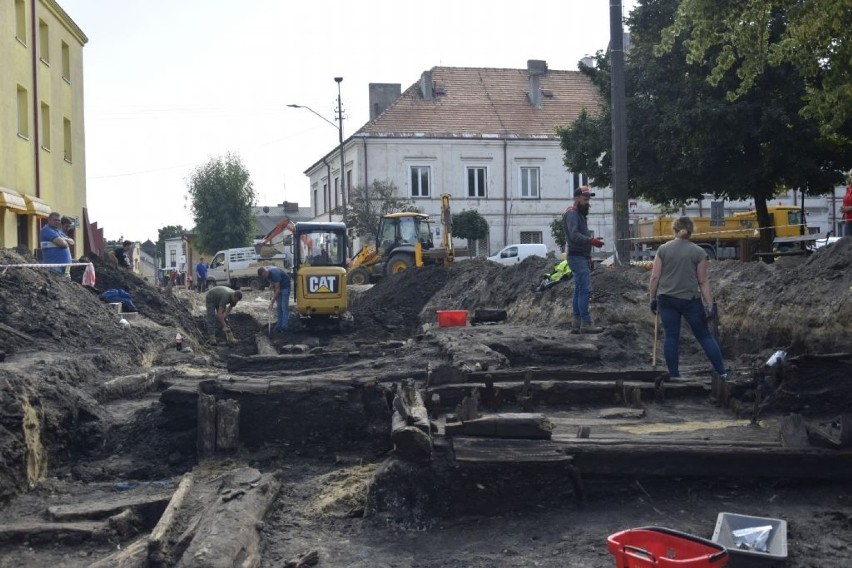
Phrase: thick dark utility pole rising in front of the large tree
(621, 222)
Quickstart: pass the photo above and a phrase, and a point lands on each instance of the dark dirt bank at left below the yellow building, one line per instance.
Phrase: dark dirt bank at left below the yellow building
(61, 342)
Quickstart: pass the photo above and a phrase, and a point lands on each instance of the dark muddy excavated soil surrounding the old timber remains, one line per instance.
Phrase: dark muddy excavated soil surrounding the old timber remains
(64, 437)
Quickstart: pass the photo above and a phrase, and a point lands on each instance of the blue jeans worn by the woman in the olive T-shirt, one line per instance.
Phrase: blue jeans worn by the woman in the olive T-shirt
(671, 310)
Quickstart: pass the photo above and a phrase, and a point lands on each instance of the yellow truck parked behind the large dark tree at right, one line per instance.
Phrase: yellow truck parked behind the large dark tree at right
(740, 232)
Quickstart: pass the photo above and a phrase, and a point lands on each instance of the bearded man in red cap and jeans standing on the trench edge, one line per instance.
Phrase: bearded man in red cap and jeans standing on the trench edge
(580, 242)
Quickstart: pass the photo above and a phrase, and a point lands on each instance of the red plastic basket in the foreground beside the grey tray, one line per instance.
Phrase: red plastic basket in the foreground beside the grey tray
(651, 547)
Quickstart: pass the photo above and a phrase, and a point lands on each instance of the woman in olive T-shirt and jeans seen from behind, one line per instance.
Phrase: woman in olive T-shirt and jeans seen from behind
(678, 284)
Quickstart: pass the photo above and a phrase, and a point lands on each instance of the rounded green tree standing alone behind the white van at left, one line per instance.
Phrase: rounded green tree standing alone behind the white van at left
(221, 196)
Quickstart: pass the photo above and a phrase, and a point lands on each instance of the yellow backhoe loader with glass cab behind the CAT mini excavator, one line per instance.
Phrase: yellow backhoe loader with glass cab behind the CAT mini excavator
(404, 240)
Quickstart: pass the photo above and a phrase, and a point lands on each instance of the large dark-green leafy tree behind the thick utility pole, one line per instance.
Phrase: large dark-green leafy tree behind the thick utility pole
(687, 139)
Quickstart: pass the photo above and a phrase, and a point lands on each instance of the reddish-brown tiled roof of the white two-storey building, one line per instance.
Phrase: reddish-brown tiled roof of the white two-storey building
(485, 103)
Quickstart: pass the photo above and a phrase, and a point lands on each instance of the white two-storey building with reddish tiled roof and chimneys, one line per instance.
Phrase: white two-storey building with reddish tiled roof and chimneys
(485, 136)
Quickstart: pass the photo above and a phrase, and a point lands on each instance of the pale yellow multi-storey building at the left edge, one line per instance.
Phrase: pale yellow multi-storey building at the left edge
(42, 142)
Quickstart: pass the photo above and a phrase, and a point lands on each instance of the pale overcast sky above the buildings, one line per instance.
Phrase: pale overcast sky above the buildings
(169, 85)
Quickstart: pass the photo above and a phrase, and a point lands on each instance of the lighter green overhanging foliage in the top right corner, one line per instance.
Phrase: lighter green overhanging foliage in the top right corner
(750, 37)
